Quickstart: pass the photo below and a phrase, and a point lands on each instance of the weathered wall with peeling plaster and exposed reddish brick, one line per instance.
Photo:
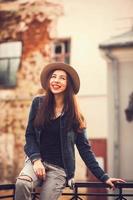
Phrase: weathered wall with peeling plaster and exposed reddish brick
(32, 24)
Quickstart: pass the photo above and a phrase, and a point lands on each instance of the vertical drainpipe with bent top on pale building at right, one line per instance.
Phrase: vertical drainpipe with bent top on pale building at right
(116, 135)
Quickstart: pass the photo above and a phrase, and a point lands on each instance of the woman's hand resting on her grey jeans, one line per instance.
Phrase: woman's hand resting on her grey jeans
(39, 169)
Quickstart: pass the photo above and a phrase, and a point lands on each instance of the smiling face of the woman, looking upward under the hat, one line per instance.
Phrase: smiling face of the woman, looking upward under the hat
(58, 82)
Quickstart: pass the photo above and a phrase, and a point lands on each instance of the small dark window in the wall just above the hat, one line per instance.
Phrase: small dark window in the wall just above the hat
(61, 50)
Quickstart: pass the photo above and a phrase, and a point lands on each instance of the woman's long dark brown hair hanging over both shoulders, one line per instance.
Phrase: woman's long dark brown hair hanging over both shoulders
(73, 118)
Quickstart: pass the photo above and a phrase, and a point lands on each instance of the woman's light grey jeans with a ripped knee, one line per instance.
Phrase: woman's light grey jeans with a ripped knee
(51, 188)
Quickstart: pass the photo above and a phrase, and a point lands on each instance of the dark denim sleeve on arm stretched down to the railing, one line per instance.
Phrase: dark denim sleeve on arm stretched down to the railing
(88, 157)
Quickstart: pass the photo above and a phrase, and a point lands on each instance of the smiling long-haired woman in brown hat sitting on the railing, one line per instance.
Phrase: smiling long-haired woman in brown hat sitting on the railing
(55, 125)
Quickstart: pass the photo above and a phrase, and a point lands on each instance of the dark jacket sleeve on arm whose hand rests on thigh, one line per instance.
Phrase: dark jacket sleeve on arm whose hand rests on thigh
(31, 147)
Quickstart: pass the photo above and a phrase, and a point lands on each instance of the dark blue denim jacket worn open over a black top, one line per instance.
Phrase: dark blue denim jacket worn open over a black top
(68, 140)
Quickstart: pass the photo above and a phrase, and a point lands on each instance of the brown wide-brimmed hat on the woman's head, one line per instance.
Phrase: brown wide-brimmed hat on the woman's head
(61, 66)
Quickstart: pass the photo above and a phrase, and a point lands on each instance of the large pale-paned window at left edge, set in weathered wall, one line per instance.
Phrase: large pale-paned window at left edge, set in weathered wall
(10, 54)
